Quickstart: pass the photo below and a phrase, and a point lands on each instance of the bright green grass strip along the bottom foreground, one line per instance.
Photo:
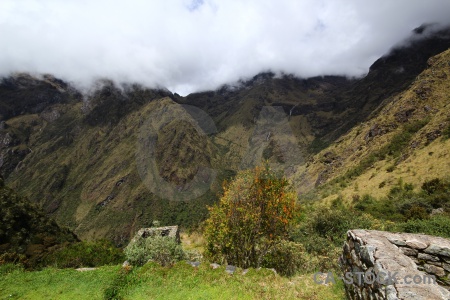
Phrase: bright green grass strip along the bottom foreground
(151, 281)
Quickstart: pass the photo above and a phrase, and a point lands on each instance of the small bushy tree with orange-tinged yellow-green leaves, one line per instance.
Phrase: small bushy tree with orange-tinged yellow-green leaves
(250, 218)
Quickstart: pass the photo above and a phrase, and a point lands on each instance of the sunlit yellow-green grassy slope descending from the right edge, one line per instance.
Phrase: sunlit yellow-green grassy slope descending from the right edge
(408, 138)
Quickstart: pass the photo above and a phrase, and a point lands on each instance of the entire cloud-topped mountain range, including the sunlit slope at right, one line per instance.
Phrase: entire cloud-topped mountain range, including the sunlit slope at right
(112, 161)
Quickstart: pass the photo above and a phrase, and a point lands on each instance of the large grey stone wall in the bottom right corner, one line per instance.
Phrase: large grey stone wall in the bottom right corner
(403, 266)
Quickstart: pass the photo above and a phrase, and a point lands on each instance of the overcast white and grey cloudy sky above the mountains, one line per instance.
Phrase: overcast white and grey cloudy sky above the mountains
(193, 45)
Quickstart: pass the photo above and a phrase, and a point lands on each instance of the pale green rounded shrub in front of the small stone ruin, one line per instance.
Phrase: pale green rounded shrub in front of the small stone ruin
(162, 250)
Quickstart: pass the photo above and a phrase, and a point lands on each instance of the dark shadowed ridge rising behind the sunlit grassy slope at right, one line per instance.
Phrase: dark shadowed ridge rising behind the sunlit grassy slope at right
(393, 73)
